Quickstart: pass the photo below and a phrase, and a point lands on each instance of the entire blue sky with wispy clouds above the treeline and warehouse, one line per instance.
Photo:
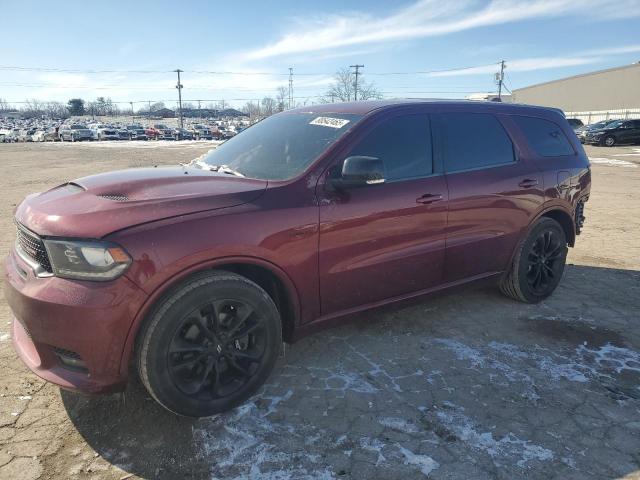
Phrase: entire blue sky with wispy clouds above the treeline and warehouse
(240, 51)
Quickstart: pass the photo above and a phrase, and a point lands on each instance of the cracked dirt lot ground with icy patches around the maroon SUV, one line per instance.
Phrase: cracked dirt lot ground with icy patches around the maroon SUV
(466, 385)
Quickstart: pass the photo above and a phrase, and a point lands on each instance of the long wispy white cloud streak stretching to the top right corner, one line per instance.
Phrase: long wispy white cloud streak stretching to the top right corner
(427, 18)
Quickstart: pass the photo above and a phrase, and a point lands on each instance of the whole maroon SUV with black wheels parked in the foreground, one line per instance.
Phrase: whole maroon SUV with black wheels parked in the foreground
(197, 273)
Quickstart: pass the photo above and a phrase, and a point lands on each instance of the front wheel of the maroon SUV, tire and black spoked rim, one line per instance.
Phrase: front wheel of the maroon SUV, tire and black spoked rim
(197, 368)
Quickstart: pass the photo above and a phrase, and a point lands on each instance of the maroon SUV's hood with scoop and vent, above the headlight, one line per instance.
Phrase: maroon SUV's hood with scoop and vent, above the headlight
(92, 207)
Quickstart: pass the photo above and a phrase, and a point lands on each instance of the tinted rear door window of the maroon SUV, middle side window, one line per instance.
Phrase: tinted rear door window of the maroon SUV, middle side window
(474, 140)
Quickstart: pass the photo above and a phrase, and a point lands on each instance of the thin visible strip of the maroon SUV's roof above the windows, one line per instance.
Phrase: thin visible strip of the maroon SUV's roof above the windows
(368, 106)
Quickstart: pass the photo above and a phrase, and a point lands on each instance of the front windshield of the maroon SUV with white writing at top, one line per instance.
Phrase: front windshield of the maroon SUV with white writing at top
(280, 147)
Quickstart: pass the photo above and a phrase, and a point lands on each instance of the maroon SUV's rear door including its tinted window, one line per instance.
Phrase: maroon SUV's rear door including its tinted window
(494, 191)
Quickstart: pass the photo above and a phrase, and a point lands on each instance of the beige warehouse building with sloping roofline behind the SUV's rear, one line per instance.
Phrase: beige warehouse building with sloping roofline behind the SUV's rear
(615, 91)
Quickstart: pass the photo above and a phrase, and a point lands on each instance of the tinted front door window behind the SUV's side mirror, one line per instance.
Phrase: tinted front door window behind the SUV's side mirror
(403, 144)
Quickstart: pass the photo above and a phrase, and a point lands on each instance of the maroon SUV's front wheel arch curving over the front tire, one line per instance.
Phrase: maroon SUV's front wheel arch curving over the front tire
(265, 274)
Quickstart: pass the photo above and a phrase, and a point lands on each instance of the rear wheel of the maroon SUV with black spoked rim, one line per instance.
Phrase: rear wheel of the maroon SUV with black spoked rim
(538, 263)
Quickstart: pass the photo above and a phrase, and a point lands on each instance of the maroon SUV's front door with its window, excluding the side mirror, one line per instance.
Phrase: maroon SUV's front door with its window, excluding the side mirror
(384, 241)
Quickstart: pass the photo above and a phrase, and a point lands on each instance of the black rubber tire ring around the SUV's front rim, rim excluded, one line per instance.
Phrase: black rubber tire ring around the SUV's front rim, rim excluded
(163, 325)
